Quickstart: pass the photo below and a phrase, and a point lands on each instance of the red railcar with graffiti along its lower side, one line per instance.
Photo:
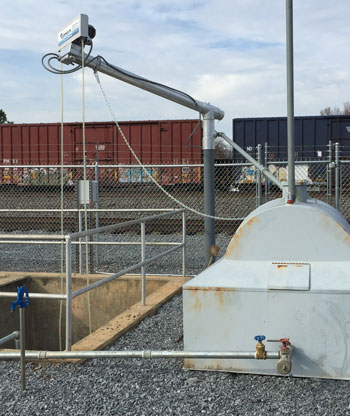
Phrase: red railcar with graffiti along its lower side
(36, 150)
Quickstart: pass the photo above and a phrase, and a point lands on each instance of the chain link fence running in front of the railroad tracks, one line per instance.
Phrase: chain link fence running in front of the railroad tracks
(32, 199)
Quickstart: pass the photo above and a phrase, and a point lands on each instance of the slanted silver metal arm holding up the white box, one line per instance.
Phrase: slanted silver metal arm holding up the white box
(97, 64)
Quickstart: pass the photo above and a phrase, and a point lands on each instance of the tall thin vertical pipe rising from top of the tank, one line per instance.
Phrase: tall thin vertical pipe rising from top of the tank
(290, 100)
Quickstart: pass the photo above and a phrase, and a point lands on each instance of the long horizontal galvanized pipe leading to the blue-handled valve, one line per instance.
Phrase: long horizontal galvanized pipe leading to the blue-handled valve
(144, 354)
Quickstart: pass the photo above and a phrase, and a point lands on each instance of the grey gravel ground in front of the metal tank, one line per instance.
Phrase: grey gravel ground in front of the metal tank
(162, 387)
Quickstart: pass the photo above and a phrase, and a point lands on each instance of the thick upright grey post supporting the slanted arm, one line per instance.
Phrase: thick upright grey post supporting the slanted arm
(209, 183)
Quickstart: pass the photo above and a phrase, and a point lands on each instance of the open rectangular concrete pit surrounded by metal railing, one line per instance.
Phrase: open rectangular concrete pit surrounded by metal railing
(115, 308)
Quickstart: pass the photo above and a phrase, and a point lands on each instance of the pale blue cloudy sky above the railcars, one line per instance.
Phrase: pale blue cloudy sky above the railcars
(230, 53)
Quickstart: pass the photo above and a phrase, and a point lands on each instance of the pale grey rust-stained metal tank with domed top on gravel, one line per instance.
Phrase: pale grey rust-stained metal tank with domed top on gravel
(285, 274)
